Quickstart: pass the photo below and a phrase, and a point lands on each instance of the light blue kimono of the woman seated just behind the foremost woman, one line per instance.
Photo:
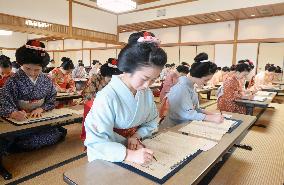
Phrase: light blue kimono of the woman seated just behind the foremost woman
(183, 102)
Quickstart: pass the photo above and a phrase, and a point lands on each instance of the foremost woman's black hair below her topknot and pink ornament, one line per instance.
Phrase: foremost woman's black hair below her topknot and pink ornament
(133, 56)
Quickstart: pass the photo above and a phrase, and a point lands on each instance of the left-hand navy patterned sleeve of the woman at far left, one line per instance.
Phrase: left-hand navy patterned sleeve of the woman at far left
(9, 98)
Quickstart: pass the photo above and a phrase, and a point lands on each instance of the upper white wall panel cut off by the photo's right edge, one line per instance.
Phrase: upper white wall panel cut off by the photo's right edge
(269, 27)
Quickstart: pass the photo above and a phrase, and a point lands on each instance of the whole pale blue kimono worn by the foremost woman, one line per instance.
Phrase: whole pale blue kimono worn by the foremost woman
(116, 107)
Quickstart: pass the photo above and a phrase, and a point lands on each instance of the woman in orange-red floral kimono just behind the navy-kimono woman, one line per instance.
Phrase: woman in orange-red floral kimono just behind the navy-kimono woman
(61, 76)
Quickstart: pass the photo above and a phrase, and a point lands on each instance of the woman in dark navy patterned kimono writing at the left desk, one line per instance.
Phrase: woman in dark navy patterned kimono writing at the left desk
(29, 91)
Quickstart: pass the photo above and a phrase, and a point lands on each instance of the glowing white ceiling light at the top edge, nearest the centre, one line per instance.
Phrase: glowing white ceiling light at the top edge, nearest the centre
(117, 6)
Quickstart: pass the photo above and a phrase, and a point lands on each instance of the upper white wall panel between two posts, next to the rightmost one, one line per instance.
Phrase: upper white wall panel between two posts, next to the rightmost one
(208, 32)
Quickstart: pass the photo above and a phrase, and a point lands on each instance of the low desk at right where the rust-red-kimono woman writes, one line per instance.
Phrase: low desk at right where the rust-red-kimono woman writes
(250, 104)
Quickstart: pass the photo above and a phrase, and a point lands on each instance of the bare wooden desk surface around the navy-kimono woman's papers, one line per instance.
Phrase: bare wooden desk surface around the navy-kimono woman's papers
(6, 127)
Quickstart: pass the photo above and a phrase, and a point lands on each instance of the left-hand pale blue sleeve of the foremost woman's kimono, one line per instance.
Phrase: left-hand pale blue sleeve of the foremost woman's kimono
(101, 141)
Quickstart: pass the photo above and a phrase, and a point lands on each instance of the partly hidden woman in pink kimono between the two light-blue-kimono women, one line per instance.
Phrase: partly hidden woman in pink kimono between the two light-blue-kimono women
(172, 78)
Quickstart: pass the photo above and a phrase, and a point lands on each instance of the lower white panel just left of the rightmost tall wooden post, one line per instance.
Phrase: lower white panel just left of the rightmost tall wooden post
(223, 55)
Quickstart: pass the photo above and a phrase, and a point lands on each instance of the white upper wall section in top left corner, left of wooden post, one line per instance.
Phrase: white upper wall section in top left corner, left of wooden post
(54, 11)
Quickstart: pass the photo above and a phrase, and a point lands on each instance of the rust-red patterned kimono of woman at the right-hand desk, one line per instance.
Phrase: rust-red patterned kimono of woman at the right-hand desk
(231, 91)
